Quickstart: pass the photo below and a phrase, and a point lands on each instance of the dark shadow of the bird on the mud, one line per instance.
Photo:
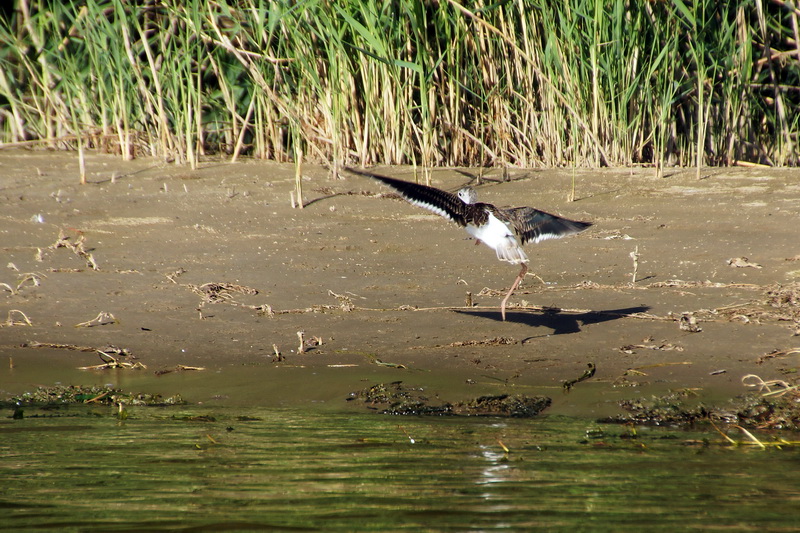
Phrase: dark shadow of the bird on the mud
(560, 322)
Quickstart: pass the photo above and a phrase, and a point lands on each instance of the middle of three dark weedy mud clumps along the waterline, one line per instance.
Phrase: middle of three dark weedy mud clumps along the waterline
(397, 399)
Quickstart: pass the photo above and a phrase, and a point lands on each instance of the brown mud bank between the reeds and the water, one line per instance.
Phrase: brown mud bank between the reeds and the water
(208, 284)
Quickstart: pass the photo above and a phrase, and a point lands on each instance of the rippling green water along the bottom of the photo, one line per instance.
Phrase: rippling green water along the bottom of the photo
(303, 470)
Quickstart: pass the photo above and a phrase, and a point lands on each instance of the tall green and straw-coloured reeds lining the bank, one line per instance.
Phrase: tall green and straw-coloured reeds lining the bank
(516, 82)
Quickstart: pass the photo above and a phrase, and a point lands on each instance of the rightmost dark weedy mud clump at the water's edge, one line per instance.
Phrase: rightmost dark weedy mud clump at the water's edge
(753, 411)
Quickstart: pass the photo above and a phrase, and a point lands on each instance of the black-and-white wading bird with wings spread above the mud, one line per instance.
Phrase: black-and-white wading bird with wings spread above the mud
(503, 229)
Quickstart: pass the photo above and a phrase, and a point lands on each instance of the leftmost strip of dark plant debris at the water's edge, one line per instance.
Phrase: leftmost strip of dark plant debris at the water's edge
(62, 395)
